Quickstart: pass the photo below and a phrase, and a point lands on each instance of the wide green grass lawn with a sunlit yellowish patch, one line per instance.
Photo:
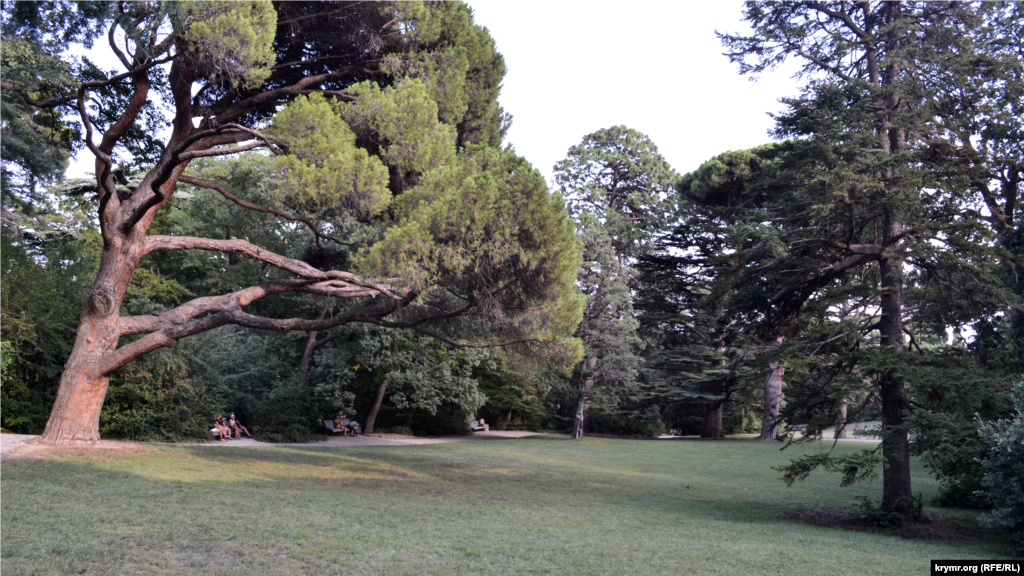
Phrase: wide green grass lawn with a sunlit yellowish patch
(541, 506)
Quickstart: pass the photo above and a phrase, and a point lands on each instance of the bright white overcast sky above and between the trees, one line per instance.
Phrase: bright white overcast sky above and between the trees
(656, 66)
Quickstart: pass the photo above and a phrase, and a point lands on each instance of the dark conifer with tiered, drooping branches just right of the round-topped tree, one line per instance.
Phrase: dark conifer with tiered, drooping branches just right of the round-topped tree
(686, 297)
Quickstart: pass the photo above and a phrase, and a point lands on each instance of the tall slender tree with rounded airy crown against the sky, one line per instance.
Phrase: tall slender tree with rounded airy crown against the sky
(619, 191)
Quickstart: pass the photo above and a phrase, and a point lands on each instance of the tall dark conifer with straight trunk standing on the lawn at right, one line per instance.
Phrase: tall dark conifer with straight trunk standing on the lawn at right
(864, 121)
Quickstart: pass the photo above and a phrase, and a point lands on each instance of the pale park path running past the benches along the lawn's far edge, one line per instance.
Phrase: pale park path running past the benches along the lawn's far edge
(10, 442)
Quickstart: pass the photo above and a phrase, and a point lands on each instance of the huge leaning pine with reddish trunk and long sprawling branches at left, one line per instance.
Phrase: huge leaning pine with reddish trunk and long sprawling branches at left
(382, 111)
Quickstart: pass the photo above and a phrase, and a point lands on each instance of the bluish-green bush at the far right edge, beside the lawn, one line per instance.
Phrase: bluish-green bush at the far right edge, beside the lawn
(1004, 466)
